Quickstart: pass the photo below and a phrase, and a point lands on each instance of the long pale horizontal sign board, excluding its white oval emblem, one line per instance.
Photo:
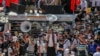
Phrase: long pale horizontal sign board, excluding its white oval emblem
(60, 17)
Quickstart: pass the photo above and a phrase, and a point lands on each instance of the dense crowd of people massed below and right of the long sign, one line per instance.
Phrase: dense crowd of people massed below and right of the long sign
(80, 39)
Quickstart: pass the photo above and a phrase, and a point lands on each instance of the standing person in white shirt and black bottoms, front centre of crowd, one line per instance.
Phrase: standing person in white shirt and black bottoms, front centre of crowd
(51, 39)
